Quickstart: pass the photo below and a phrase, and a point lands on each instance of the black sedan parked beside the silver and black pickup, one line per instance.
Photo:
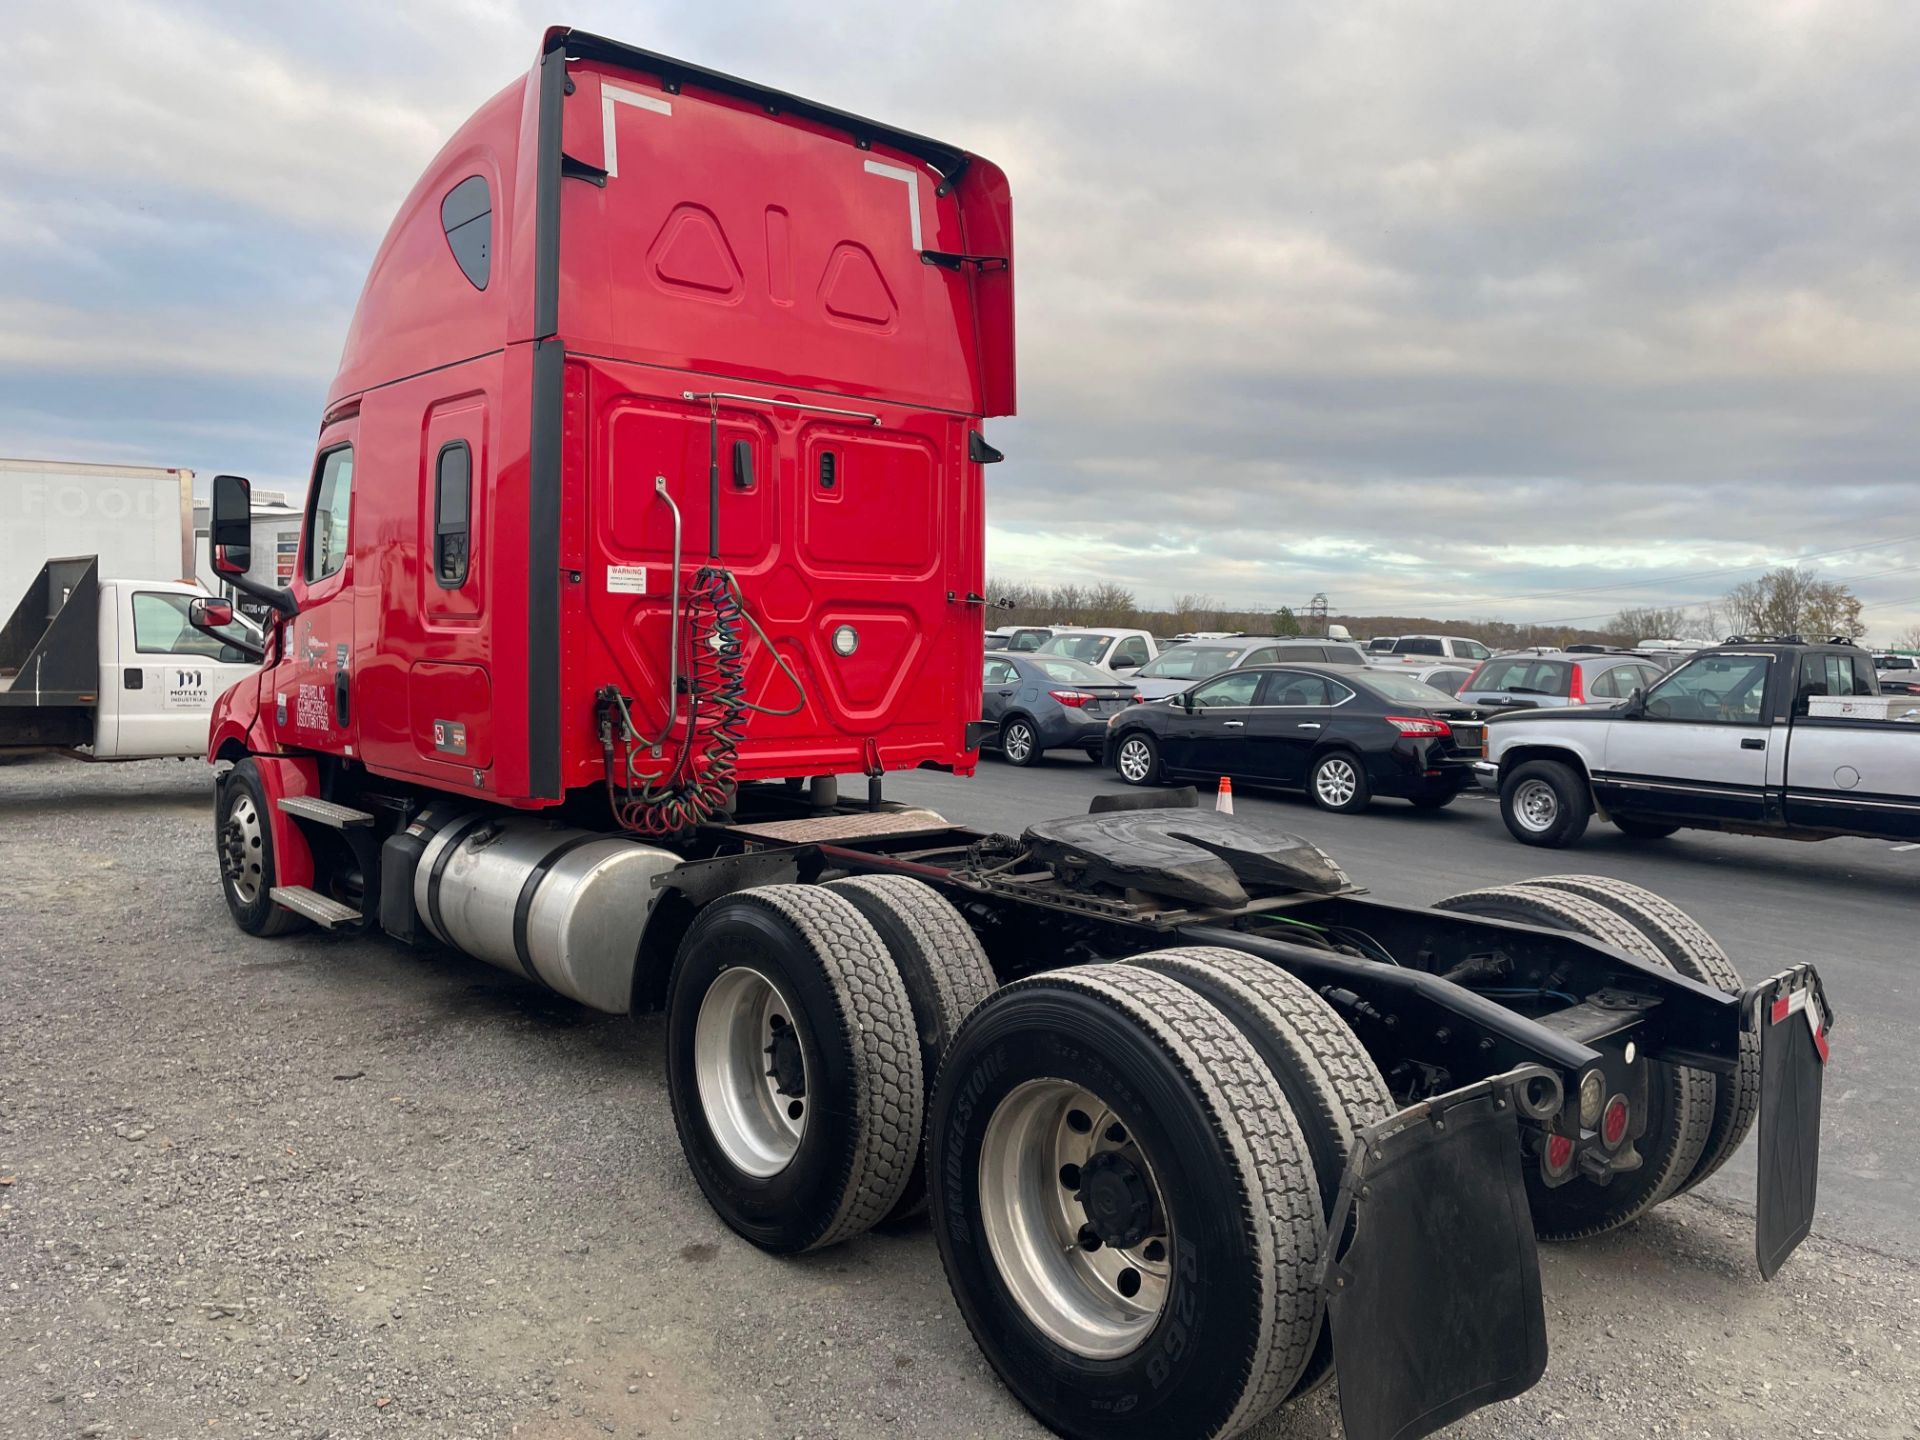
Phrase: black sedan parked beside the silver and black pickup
(1339, 734)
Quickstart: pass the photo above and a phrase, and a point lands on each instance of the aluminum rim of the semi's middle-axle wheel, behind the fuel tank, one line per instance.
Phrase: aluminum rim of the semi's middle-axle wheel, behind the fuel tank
(756, 1122)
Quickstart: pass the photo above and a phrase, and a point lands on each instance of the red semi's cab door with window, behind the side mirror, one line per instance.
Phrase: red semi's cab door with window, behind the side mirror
(314, 692)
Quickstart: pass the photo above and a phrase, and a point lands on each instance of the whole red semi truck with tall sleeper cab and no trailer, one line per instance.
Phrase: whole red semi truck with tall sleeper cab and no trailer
(646, 502)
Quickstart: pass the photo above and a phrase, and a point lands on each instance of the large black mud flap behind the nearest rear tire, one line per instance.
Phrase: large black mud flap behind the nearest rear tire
(1435, 1305)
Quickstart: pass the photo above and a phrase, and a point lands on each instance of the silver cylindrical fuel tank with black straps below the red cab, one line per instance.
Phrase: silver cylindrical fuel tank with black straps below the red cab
(562, 907)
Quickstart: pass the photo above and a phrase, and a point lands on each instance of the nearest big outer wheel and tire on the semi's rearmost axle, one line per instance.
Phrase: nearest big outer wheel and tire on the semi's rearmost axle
(1126, 1207)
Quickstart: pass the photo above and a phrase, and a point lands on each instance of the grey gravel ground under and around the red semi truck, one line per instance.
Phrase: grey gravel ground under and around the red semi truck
(320, 1188)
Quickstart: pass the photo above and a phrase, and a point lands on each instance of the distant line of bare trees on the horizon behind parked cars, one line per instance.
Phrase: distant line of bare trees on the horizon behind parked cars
(1787, 602)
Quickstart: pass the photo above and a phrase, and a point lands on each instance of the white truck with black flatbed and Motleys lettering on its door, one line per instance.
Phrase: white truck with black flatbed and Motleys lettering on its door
(116, 669)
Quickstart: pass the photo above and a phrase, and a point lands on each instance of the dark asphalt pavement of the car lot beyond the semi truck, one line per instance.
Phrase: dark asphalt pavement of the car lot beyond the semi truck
(1848, 905)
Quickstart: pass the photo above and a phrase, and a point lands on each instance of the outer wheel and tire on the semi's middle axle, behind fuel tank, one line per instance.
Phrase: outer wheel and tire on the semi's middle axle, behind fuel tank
(794, 1067)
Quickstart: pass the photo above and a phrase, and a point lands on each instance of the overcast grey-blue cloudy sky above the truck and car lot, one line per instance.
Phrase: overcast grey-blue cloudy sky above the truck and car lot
(1487, 308)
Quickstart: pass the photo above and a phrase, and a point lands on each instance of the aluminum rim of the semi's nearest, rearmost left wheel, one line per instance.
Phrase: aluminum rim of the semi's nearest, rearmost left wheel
(1095, 1299)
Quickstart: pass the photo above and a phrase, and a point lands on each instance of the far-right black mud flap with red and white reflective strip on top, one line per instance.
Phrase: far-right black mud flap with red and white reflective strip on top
(1792, 1017)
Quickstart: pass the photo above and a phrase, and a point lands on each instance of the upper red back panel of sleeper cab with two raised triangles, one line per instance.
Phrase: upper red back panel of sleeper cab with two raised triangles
(732, 243)
